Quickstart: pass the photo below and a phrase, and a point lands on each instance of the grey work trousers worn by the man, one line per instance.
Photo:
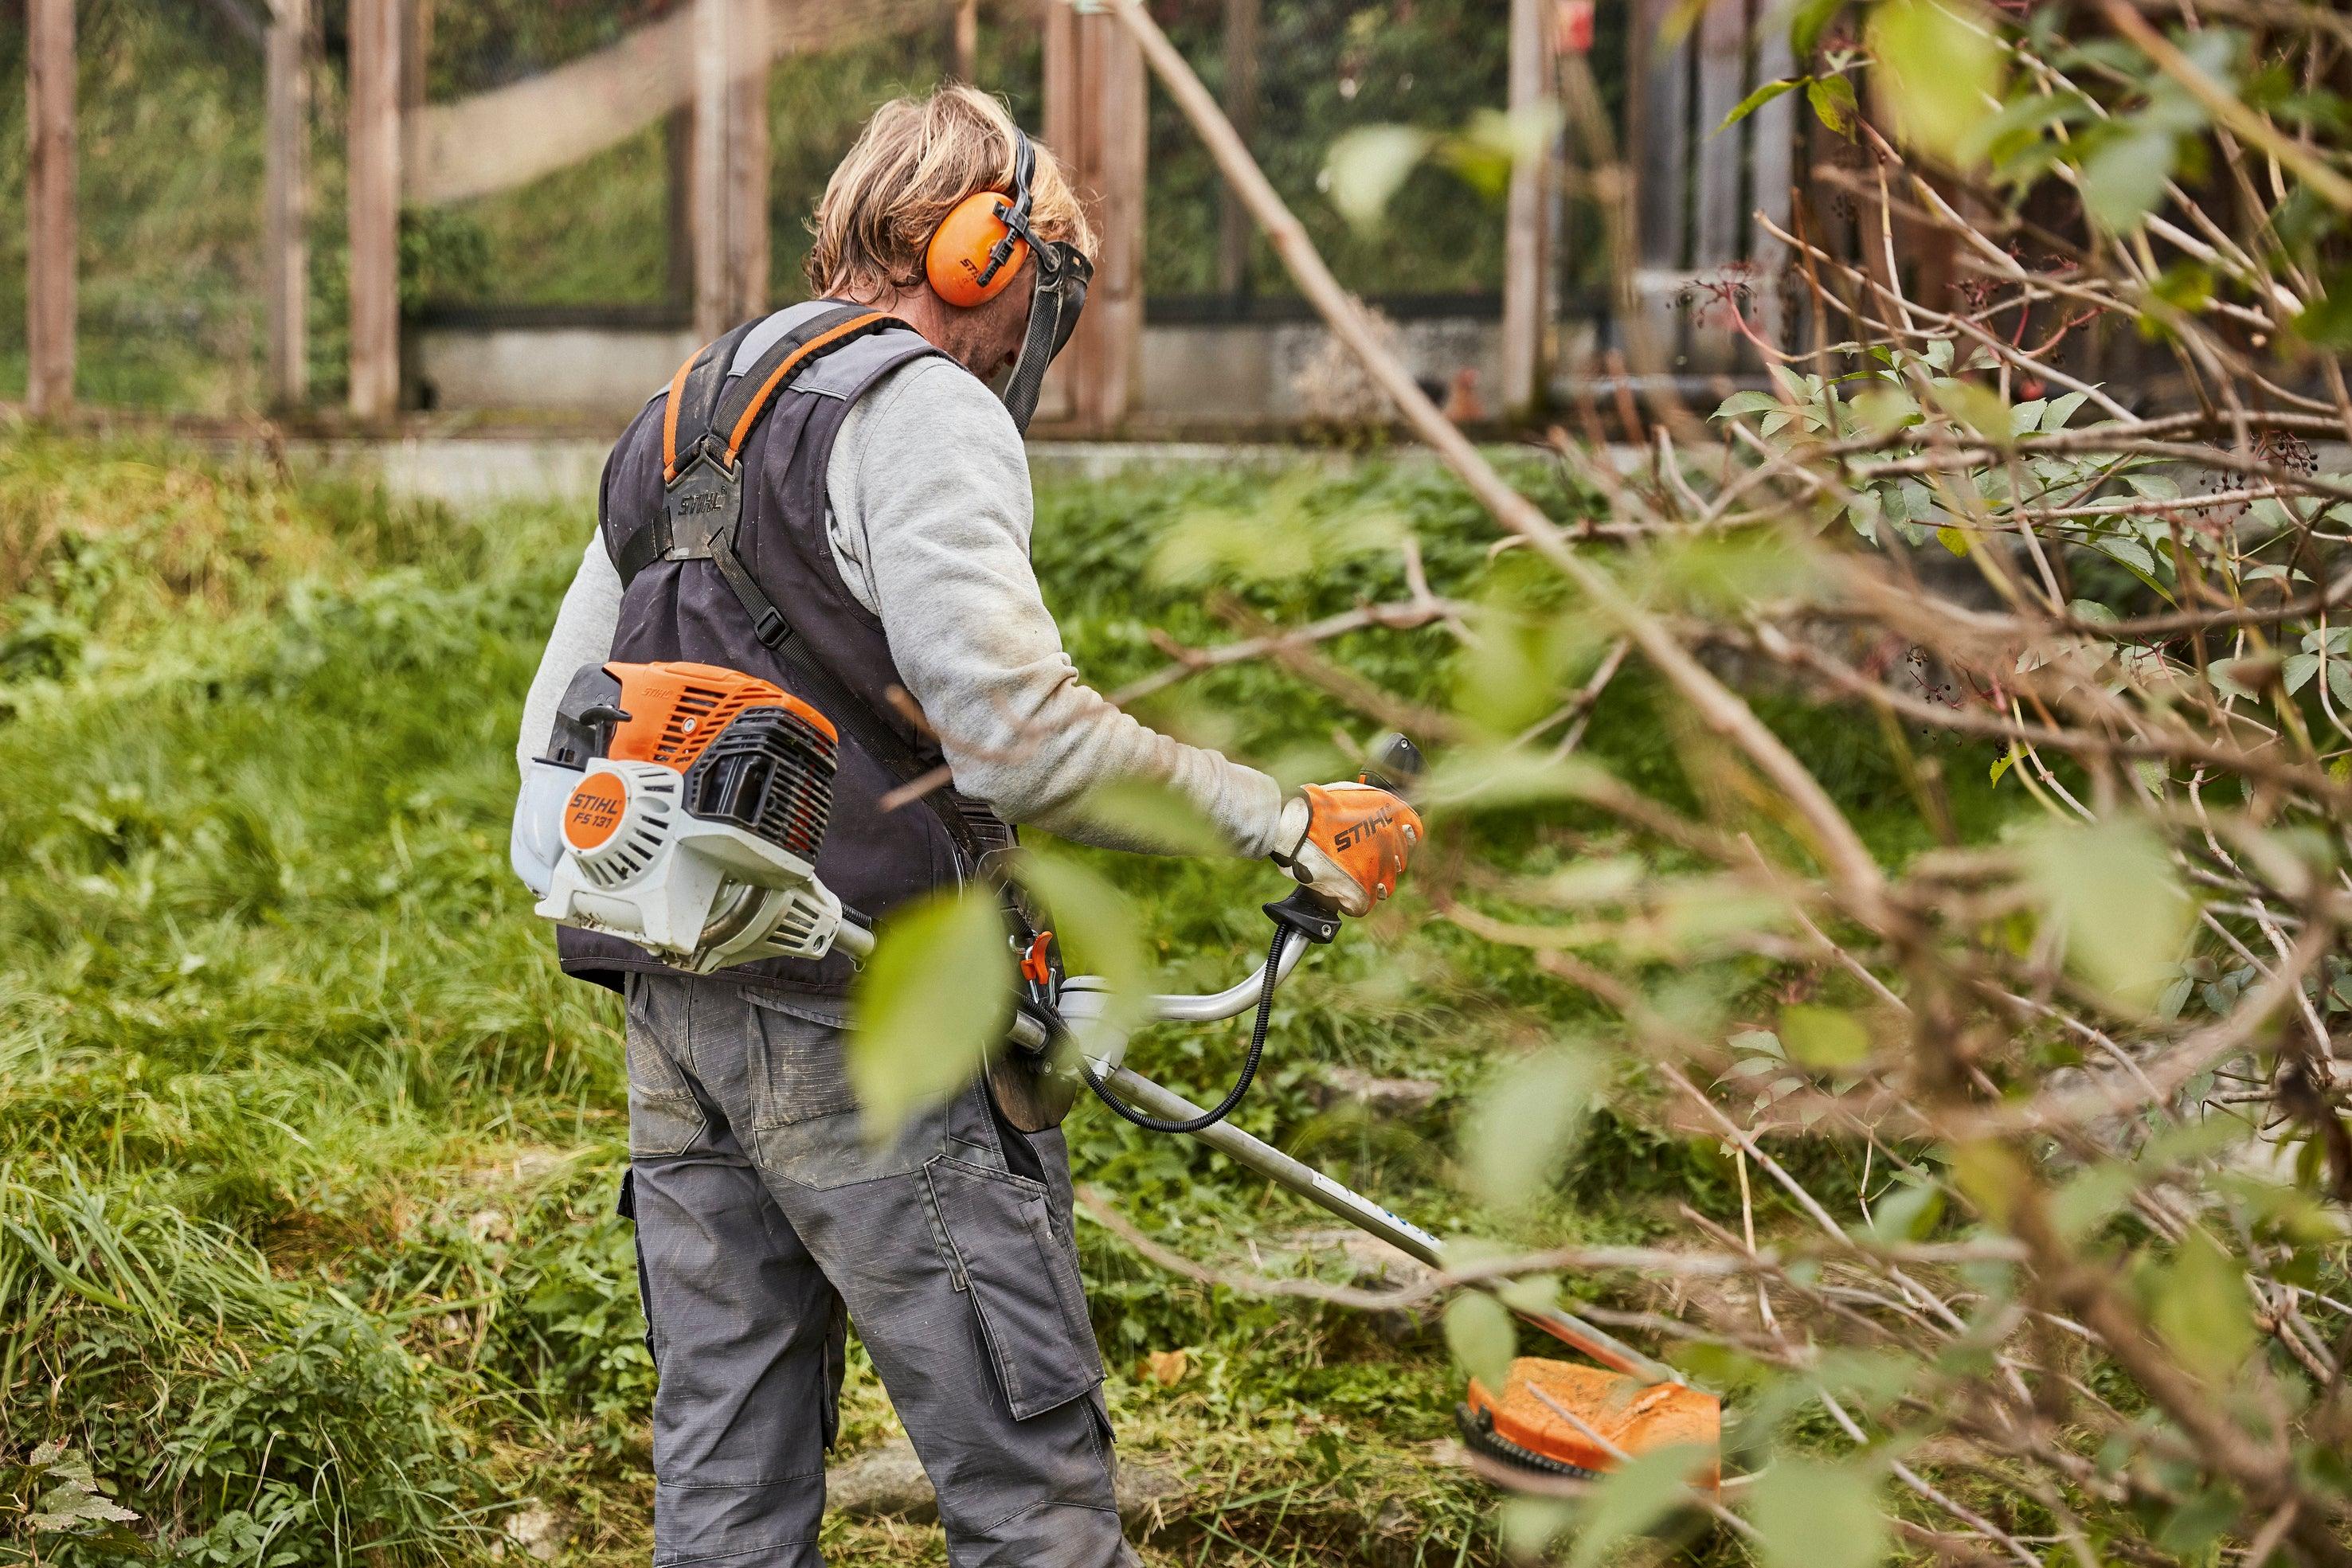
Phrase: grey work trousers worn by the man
(766, 1228)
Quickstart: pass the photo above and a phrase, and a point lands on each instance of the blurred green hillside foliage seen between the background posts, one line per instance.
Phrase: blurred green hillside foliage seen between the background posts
(171, 145)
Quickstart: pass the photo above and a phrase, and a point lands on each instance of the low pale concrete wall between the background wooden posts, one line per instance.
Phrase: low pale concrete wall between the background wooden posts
(1196, 375)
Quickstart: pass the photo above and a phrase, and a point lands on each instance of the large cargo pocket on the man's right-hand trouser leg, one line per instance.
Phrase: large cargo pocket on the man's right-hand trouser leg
(998, 1240)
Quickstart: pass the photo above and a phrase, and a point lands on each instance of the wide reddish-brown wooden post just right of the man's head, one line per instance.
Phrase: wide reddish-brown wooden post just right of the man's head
(1095, 119)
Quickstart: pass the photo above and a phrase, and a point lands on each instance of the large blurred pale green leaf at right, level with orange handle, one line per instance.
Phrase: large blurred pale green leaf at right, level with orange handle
(2125, 913)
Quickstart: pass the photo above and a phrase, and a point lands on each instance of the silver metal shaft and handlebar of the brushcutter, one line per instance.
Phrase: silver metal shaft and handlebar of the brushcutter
(1318, 1188)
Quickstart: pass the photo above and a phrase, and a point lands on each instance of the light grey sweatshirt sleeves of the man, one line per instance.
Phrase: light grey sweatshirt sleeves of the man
(930, 525)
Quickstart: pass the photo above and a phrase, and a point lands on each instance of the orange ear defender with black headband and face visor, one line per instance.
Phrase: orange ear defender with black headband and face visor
(980, 248)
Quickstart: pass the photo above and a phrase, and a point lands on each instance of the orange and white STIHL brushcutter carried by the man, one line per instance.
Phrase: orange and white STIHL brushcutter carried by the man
(681, 808)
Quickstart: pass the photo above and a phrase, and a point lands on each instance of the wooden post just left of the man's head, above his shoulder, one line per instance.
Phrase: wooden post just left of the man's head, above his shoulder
(730, 163)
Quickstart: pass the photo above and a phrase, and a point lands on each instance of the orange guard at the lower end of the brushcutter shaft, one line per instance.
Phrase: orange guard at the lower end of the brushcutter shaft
(1633, 1416)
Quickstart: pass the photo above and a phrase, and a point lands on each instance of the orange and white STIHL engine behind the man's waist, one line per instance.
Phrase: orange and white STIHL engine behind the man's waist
(681, 808)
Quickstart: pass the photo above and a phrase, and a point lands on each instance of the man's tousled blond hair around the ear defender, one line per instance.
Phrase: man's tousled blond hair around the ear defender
(909, 168)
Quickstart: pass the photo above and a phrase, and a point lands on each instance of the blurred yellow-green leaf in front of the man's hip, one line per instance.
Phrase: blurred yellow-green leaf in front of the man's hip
(928, 1007)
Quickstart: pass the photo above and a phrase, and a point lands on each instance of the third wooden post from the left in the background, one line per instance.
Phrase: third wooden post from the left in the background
(375, 208)
